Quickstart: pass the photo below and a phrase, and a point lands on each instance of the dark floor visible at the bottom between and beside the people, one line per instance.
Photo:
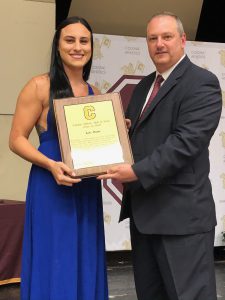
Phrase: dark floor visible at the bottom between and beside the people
(120, 277)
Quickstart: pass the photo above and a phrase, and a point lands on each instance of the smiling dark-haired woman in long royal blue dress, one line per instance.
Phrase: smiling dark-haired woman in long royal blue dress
(63, 247)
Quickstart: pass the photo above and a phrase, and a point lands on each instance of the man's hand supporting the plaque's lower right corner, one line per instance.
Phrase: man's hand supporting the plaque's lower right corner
(122, 173)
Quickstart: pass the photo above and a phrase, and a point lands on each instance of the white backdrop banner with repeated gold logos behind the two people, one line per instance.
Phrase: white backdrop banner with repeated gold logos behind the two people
(119, 63)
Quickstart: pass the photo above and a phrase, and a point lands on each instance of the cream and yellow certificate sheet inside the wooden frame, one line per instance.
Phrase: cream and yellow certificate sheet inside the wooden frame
(93, 134)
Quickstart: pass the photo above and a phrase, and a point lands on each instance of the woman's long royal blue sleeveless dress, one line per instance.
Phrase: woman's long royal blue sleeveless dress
(63, 248)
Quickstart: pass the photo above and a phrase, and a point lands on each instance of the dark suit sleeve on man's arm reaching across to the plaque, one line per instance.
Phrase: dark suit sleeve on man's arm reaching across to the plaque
(196, 122)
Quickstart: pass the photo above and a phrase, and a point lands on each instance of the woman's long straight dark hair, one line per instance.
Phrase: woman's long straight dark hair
(59, 83)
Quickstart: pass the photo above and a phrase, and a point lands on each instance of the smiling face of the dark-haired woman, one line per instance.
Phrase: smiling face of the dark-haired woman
(75, 46)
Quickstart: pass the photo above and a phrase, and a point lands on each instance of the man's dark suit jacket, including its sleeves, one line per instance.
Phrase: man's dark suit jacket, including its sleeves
(170, 146)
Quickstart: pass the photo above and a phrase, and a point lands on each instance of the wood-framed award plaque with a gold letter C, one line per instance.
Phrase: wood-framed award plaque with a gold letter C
(92, 133)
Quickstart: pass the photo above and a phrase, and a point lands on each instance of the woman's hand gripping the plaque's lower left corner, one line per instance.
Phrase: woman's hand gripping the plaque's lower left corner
(62, 173)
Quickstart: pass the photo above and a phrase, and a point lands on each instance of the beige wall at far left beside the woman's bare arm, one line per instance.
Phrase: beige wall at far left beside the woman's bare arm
(26, 30)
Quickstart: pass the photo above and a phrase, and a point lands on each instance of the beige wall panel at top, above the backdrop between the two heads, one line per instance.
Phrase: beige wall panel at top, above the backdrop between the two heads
(129, 18)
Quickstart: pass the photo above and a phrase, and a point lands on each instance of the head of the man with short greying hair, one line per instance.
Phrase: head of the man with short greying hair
(165, 44)
